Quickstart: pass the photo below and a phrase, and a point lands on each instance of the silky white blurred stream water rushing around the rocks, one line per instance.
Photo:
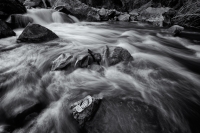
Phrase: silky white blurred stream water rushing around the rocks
(164, 74)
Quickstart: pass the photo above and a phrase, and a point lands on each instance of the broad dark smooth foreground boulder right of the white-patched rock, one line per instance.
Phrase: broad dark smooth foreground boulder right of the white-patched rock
(136, 117)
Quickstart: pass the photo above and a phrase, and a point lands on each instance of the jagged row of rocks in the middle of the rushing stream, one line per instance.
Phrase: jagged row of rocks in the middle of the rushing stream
(93, 61)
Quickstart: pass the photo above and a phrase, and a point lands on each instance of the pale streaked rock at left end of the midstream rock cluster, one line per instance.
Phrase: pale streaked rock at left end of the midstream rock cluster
(61, 62)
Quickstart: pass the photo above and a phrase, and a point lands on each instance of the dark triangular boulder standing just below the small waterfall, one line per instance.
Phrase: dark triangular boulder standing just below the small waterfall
(35, 33)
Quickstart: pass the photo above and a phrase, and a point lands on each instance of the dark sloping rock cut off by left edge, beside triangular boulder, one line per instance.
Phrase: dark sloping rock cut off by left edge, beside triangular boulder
(5, 31)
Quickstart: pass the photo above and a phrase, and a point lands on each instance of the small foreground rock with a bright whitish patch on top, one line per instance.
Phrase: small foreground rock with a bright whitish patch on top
(85, 109)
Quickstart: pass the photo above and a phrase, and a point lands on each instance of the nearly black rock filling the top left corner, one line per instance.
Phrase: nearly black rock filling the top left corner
(11, 7)
